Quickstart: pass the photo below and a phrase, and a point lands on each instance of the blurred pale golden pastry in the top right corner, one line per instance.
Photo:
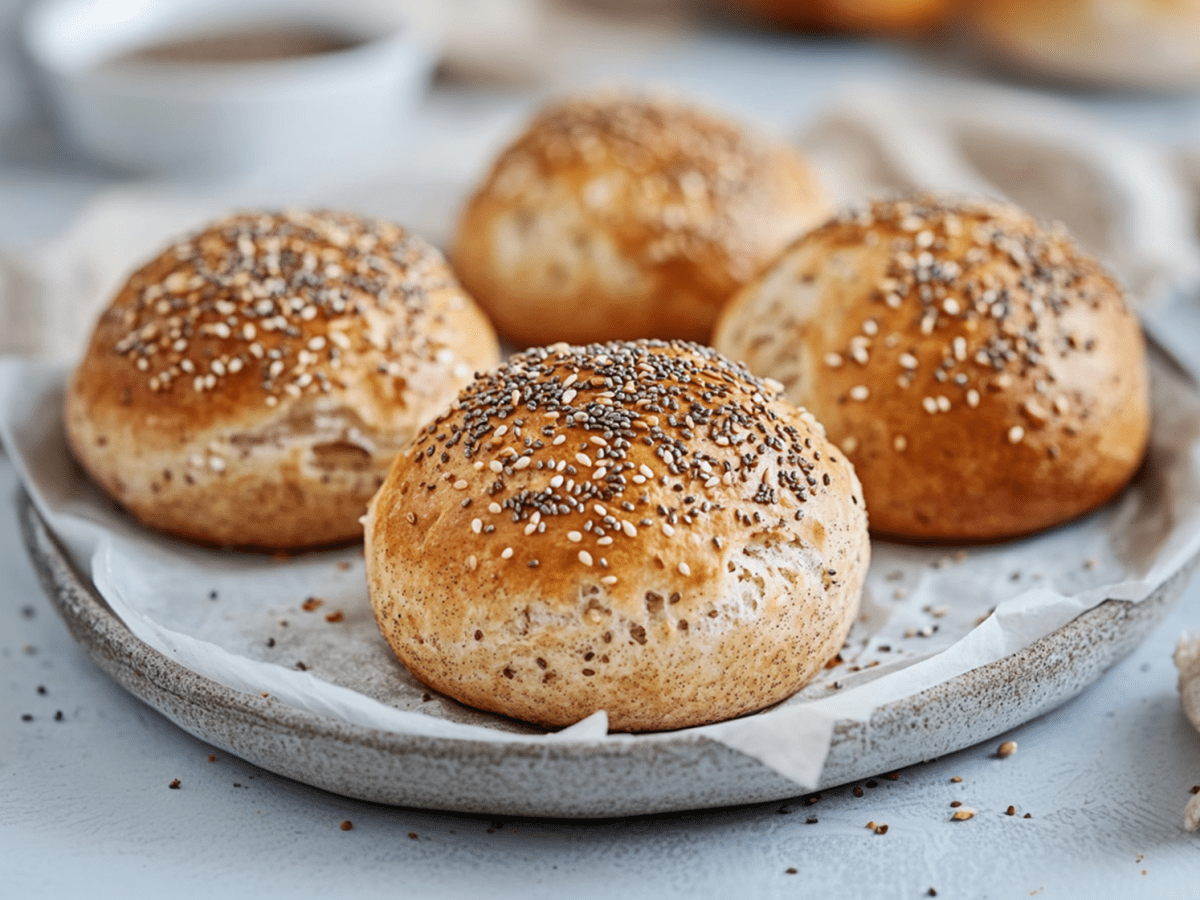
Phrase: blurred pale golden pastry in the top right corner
(1126, 44)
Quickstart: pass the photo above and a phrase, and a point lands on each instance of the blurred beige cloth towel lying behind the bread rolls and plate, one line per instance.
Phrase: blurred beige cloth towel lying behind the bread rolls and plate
(1126, 201)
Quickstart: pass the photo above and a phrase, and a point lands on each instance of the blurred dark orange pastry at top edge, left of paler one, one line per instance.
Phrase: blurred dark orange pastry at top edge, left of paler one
(908, 16)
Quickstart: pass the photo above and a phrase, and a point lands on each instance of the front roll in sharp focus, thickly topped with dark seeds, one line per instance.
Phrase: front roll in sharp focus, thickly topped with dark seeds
(643, 529)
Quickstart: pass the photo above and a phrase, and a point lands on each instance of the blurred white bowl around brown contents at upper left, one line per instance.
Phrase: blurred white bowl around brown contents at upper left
(220, 118)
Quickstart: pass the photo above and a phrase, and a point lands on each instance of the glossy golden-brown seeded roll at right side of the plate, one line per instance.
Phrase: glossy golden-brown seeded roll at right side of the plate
(985, 375)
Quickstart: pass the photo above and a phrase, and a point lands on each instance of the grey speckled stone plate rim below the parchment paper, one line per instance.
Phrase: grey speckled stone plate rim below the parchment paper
(661, 773)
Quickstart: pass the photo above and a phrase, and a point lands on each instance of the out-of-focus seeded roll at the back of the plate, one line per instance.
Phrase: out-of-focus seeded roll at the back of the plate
(617, 217)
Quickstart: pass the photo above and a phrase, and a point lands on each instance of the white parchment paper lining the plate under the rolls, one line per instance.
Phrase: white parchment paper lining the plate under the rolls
(302, 629)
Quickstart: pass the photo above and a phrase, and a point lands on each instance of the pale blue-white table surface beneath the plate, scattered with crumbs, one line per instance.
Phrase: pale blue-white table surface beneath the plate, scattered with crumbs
(86, 806)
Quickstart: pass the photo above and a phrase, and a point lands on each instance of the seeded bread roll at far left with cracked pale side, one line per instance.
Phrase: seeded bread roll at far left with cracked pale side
(251, 386)
